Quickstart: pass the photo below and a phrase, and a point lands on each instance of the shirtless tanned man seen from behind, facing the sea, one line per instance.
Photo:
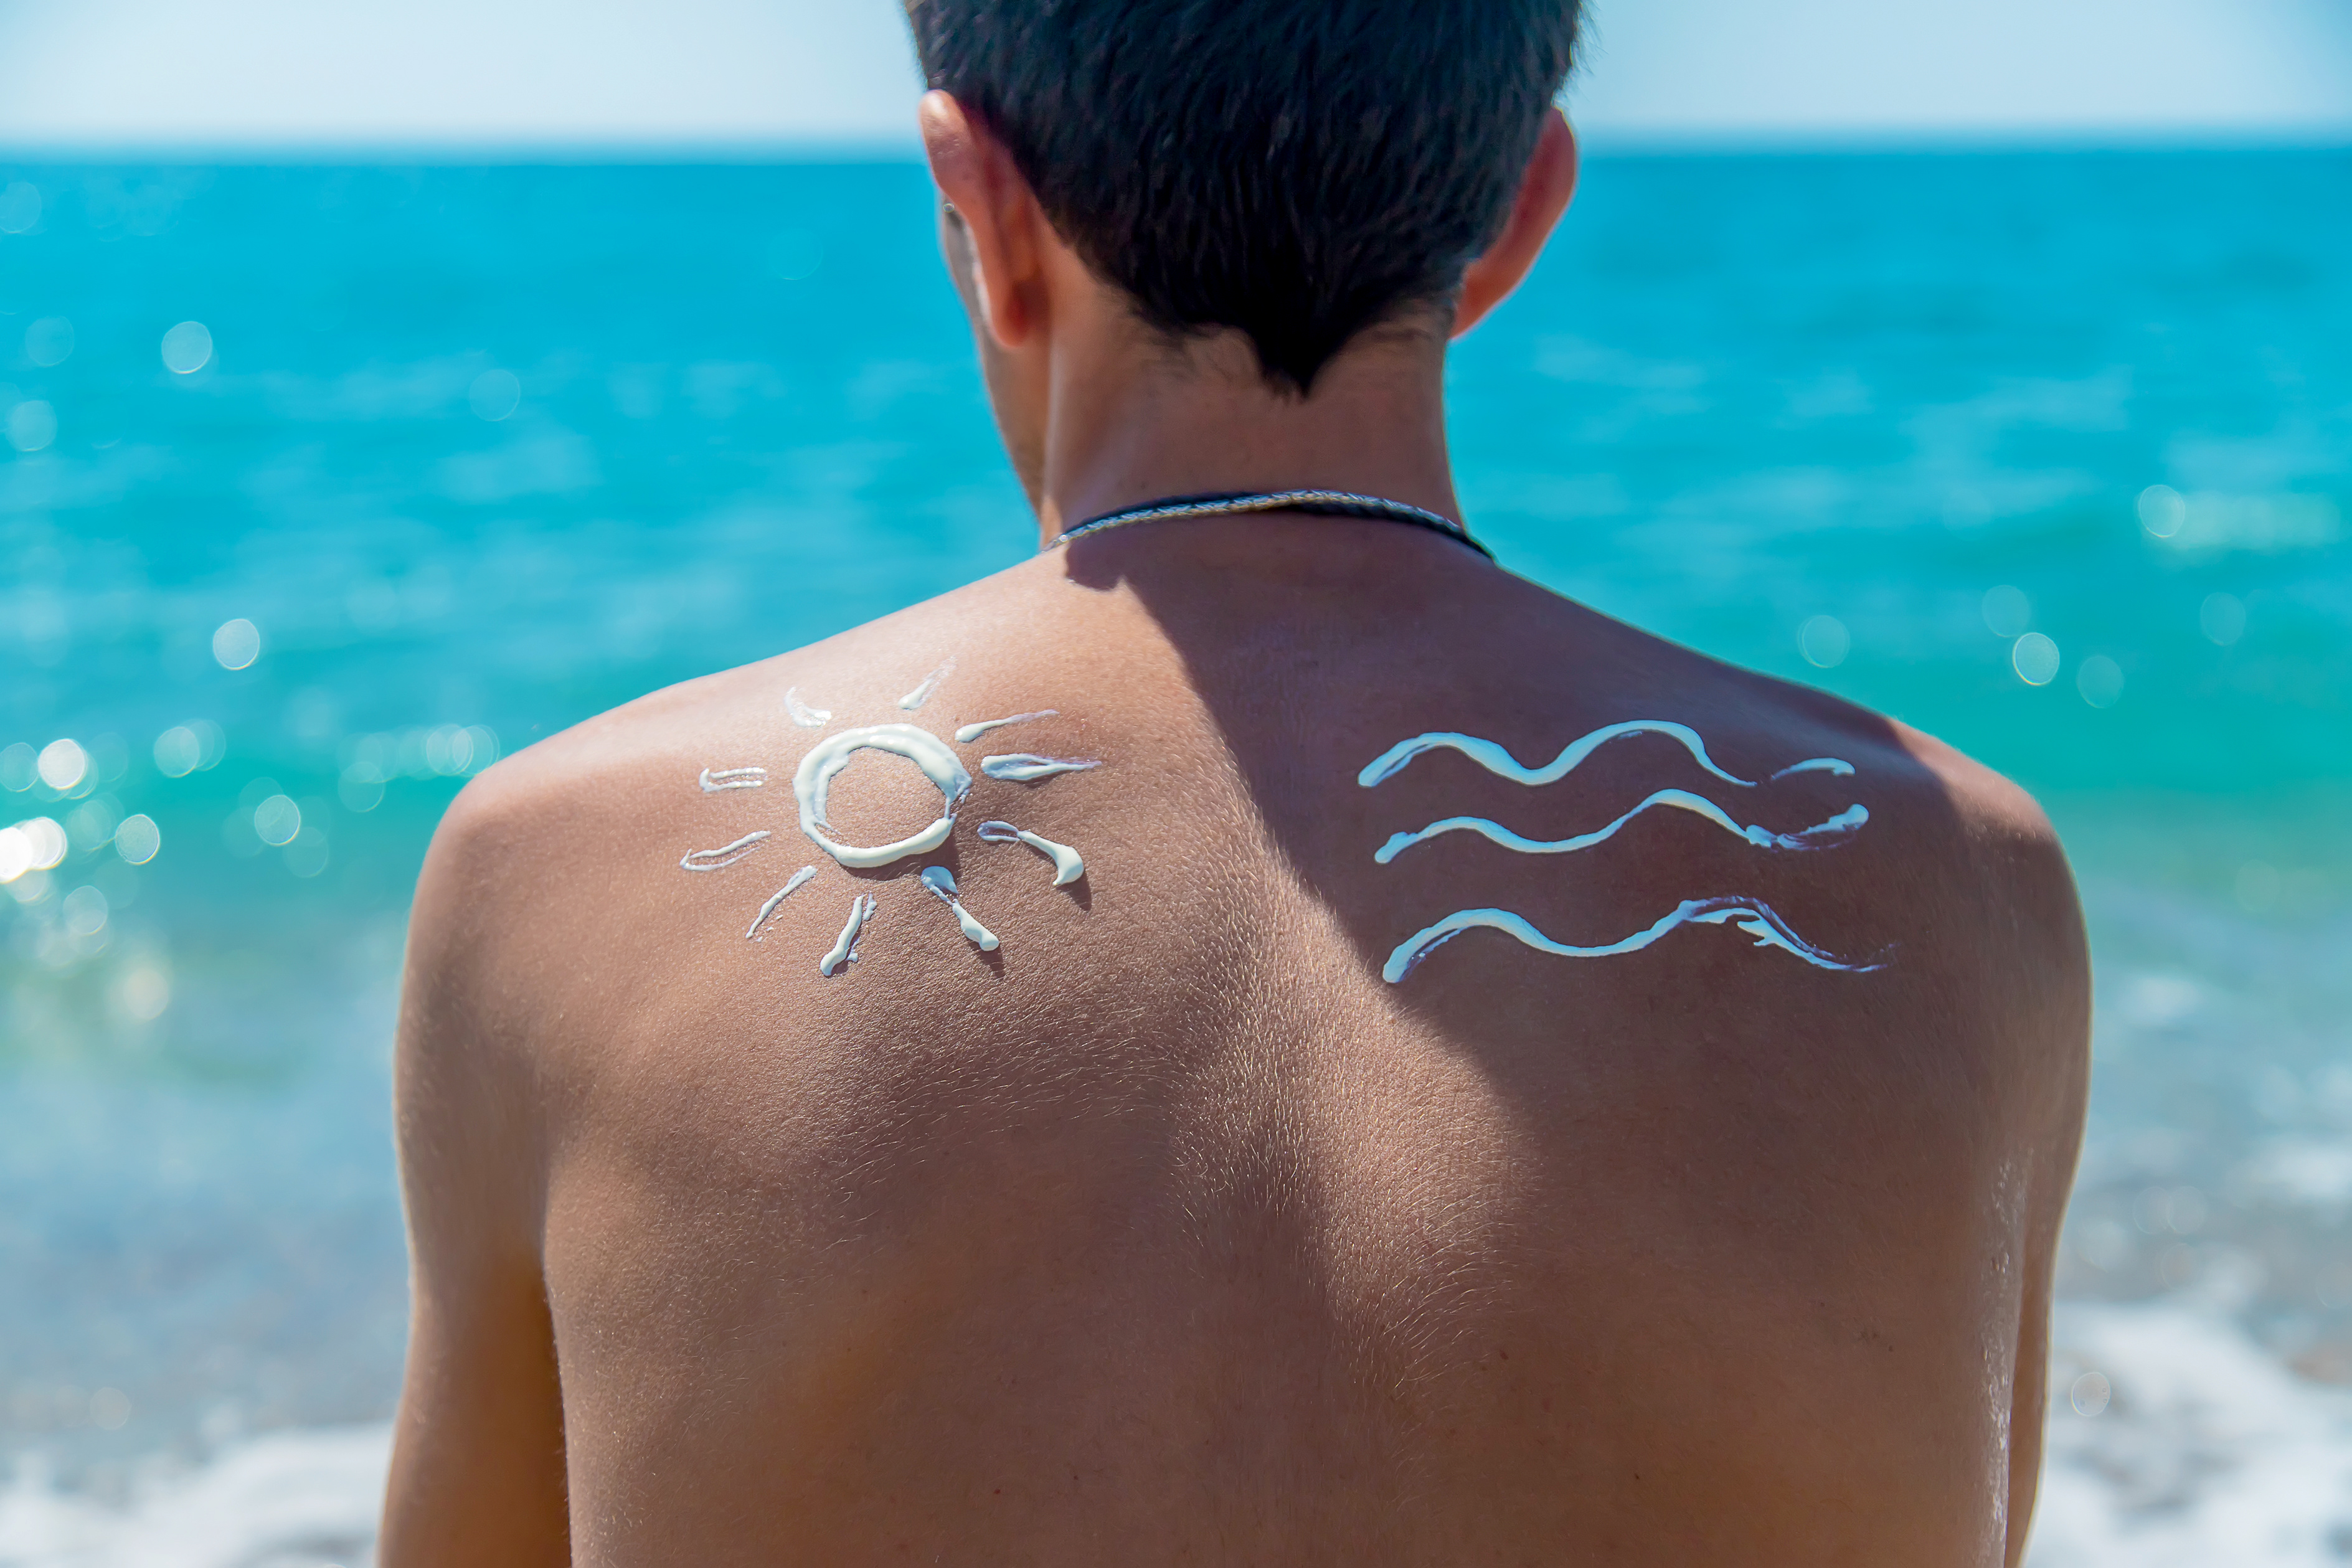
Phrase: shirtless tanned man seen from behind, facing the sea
(1255, 1036)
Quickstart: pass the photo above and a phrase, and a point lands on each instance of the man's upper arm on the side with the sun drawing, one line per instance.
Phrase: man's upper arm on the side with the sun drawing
(479, 1461)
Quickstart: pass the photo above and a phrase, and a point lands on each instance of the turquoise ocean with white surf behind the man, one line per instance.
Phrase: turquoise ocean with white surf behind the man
(323, 488)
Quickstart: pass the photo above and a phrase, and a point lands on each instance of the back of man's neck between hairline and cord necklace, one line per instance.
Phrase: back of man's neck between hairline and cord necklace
(1147, 422)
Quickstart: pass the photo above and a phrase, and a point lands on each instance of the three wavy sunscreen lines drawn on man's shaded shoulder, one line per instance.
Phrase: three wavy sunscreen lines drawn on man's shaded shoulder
(1749, 916)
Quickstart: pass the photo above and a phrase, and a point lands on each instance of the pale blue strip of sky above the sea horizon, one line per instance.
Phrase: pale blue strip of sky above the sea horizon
(831, 74)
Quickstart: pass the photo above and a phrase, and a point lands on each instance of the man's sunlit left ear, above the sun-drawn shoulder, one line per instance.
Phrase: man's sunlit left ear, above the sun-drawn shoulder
(996, 250)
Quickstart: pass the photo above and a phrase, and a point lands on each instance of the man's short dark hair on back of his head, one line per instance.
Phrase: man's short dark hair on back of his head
(1299, 170)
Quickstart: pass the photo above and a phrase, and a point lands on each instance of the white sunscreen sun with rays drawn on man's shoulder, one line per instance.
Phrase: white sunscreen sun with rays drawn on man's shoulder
(940, 763)
